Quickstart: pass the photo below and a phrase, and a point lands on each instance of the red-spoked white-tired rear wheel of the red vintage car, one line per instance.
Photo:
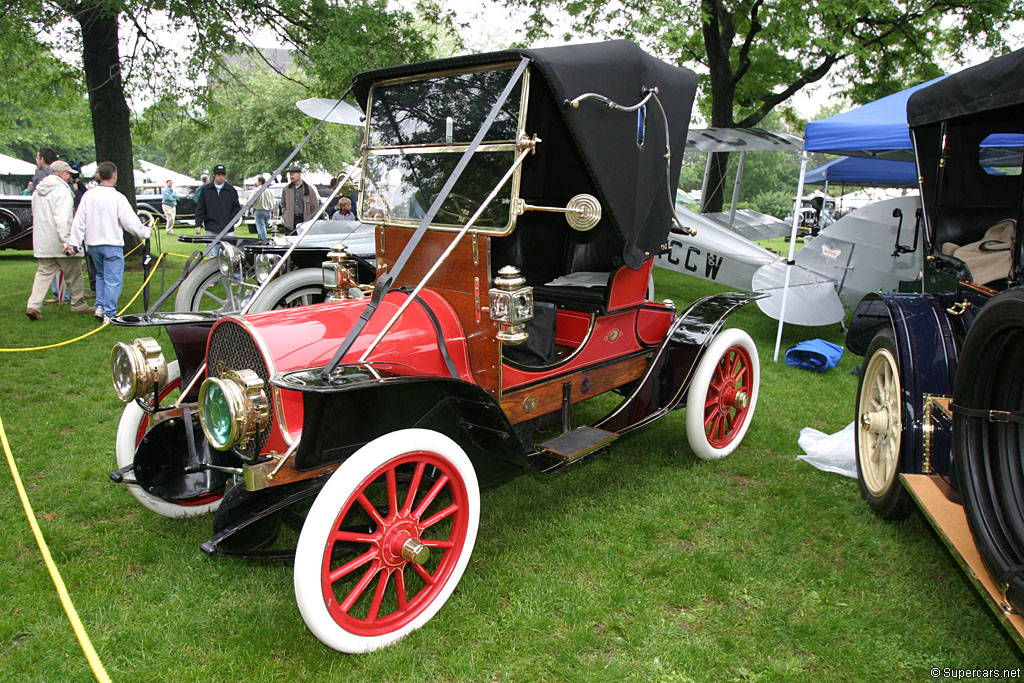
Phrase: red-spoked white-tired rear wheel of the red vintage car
(723, 396)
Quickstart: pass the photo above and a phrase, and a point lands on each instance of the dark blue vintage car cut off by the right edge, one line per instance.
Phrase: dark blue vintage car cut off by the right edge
(941, 403)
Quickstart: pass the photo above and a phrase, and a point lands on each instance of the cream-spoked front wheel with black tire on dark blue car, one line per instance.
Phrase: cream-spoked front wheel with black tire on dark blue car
(880, 431)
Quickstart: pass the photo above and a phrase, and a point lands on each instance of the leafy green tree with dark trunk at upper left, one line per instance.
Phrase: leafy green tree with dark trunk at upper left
(323, 34)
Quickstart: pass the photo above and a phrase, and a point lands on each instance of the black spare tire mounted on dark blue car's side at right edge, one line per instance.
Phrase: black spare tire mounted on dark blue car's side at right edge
(988, 455)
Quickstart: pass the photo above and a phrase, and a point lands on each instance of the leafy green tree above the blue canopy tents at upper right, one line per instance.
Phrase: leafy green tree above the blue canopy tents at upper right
(754, 55)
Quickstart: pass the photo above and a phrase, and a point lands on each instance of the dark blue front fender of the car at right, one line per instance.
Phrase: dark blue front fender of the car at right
(927, 344)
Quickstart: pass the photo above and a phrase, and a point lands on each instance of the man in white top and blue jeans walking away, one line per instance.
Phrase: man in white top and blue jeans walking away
(103, 217)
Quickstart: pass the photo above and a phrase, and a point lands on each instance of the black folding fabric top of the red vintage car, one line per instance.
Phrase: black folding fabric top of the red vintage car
(630, 179)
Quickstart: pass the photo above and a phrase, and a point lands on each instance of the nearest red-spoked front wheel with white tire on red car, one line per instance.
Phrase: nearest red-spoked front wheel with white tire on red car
(387, 541)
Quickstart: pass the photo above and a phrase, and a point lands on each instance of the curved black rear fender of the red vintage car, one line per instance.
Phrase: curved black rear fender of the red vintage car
(663, 388)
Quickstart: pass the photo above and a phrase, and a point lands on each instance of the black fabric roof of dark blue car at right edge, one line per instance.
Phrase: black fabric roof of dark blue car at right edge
(995, 84)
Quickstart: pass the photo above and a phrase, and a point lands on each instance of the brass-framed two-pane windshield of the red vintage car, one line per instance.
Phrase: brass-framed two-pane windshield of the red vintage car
(417, 132)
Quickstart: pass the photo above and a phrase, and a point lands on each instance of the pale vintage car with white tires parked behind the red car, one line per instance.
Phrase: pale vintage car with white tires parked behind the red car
(248, 264)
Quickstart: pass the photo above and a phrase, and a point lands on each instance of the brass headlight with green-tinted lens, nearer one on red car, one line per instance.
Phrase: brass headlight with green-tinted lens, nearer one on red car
(233, 409)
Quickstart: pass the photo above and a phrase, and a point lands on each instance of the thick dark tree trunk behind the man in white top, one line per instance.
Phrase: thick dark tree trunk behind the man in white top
(111, 117)
